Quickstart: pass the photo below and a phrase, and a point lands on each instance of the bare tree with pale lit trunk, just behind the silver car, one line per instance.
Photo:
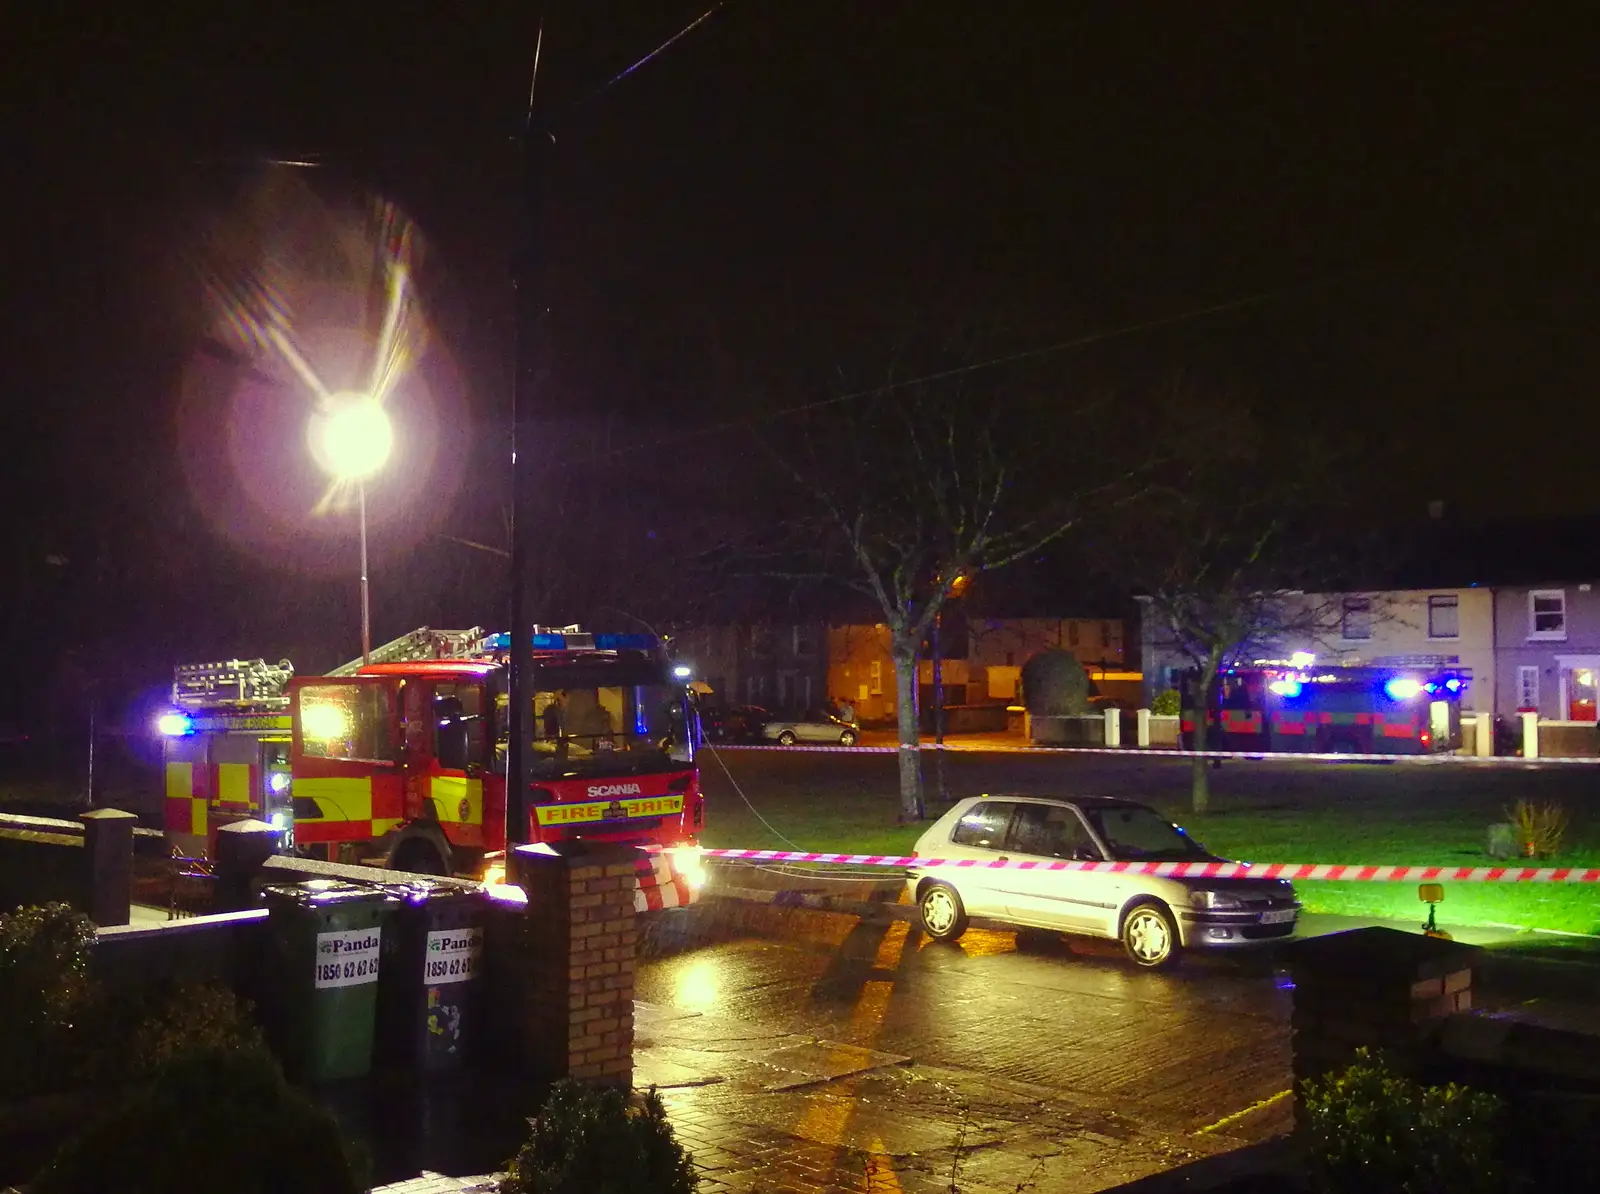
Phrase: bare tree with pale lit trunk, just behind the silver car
(908, 494)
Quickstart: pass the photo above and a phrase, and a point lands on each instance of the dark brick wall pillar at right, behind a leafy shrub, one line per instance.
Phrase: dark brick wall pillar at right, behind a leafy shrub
(1377, 988)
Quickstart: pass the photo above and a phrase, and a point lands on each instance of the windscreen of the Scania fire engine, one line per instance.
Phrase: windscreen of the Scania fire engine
(609, 731)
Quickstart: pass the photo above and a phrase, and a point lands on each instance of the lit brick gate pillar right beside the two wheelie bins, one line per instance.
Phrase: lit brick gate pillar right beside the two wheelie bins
(574, 961)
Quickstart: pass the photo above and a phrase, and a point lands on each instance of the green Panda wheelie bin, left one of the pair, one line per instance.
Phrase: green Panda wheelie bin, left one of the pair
(329, 940)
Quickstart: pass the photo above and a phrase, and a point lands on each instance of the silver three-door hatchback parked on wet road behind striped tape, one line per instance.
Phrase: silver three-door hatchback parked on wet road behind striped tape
(1153, 916)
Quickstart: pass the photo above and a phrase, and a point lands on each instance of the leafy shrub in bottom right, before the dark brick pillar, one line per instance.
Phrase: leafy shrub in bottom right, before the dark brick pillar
(1375, 1132)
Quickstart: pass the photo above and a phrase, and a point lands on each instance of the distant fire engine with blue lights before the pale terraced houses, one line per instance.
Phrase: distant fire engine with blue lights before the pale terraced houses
(1310, 708)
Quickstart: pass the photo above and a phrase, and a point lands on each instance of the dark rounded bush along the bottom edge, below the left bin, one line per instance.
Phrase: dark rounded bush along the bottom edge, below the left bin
(212, 1121)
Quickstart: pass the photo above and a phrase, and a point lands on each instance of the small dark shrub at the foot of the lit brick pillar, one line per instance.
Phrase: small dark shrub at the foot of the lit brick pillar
(590, 1140)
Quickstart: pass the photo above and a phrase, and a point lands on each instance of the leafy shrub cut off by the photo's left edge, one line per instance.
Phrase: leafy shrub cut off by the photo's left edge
(44, 977)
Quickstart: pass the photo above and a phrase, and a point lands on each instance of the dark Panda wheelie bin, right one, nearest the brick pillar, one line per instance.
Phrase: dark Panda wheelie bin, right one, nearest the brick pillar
(430, 993)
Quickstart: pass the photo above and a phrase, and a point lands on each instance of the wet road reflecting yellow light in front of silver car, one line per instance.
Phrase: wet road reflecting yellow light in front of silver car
(862, 1056)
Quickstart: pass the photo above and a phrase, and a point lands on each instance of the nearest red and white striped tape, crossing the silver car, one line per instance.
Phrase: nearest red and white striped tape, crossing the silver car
(1346, 873)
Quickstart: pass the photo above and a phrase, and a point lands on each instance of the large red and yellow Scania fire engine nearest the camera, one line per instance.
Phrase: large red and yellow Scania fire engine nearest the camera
(401, 761)
